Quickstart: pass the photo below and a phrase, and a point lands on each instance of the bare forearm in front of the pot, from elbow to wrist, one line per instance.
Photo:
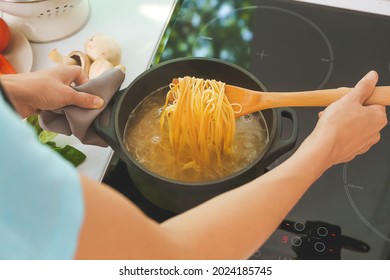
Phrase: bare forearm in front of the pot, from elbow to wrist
(237, 223)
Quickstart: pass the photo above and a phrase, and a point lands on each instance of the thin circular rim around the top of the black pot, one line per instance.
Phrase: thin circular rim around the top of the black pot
(271, 134)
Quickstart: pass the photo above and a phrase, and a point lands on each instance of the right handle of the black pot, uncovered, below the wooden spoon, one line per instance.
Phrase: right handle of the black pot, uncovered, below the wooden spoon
(280, 146)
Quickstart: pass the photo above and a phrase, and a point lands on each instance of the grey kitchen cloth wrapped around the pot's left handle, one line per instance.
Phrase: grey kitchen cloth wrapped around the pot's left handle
(79, 121)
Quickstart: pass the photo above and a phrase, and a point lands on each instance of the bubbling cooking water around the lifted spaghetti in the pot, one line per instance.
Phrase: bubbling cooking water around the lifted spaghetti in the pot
(150, 146)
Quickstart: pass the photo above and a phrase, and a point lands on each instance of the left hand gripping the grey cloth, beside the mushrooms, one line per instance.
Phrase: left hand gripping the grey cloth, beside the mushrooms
(48, 90)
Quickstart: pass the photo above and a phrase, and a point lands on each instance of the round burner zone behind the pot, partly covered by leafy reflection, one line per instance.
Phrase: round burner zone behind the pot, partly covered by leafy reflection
(302, 36)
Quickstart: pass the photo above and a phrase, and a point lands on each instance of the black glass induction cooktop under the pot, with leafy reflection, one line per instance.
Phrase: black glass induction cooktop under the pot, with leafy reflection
(292, 46)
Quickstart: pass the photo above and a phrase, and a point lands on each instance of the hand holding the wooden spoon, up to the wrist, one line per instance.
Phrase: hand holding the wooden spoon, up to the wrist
(348, 127)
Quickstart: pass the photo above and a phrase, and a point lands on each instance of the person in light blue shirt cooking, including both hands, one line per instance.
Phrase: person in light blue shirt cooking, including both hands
(48, 211)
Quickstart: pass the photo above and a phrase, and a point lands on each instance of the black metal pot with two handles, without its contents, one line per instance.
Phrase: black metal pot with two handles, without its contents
(177, 196)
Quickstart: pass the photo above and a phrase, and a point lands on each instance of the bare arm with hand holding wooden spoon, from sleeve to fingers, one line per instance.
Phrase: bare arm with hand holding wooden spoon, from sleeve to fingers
(235, 224)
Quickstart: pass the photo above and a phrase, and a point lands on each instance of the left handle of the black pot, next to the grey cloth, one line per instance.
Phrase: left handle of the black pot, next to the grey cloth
(105, 124)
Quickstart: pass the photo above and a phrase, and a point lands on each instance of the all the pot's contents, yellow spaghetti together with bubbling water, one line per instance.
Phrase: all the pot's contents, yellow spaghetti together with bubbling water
(191, 133)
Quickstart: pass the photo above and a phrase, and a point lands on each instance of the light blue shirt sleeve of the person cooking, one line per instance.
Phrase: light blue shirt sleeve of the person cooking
(41, 202)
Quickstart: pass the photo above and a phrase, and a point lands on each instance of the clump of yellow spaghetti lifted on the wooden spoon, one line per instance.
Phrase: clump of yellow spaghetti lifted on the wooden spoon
(200, 121)
